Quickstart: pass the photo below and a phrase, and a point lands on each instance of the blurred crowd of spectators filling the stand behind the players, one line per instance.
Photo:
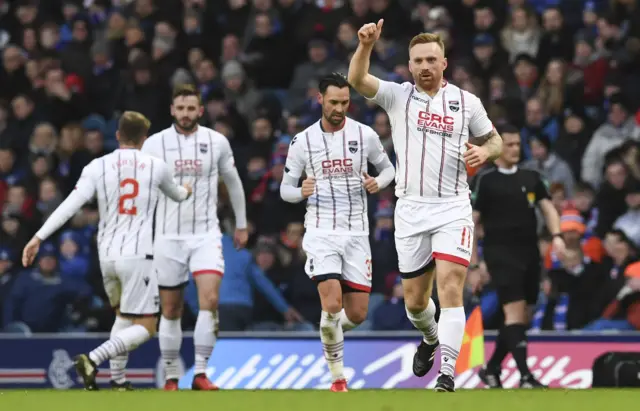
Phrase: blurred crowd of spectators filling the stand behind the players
(566, 72)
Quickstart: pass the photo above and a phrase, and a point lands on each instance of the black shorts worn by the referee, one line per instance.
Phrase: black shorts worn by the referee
(515, 272)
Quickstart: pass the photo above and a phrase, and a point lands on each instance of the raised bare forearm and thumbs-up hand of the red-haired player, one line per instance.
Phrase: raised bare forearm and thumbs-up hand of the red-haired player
(359, 77)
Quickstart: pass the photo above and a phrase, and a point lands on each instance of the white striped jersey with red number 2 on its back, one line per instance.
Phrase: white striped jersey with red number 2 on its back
(127, 184)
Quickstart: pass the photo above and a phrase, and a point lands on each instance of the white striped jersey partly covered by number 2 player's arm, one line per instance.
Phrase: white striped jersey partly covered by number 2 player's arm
(198, 159)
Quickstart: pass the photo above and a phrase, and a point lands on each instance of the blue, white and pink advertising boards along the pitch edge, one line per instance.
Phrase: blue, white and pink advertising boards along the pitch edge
(295, 361)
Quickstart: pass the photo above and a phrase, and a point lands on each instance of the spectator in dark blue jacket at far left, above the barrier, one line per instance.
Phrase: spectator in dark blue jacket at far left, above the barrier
(40, 297)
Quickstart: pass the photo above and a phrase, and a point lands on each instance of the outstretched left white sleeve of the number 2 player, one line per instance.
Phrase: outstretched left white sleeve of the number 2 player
(84, 191)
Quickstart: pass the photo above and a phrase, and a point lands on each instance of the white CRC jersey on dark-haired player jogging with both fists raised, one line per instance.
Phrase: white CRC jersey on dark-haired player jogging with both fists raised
(337, 161)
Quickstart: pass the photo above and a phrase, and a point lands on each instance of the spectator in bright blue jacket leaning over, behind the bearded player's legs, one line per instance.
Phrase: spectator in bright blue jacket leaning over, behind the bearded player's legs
(241, 277)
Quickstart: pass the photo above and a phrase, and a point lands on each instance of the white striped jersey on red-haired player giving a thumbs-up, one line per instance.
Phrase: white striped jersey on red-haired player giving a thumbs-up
(429, 136)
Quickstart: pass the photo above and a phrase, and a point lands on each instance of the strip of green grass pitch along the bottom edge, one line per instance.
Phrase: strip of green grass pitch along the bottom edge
(314, 400)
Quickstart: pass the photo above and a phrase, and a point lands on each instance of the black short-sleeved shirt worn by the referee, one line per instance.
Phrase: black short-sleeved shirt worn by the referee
(507, 200)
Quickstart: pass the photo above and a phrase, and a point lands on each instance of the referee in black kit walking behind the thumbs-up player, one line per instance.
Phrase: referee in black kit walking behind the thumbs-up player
(505, 198)
